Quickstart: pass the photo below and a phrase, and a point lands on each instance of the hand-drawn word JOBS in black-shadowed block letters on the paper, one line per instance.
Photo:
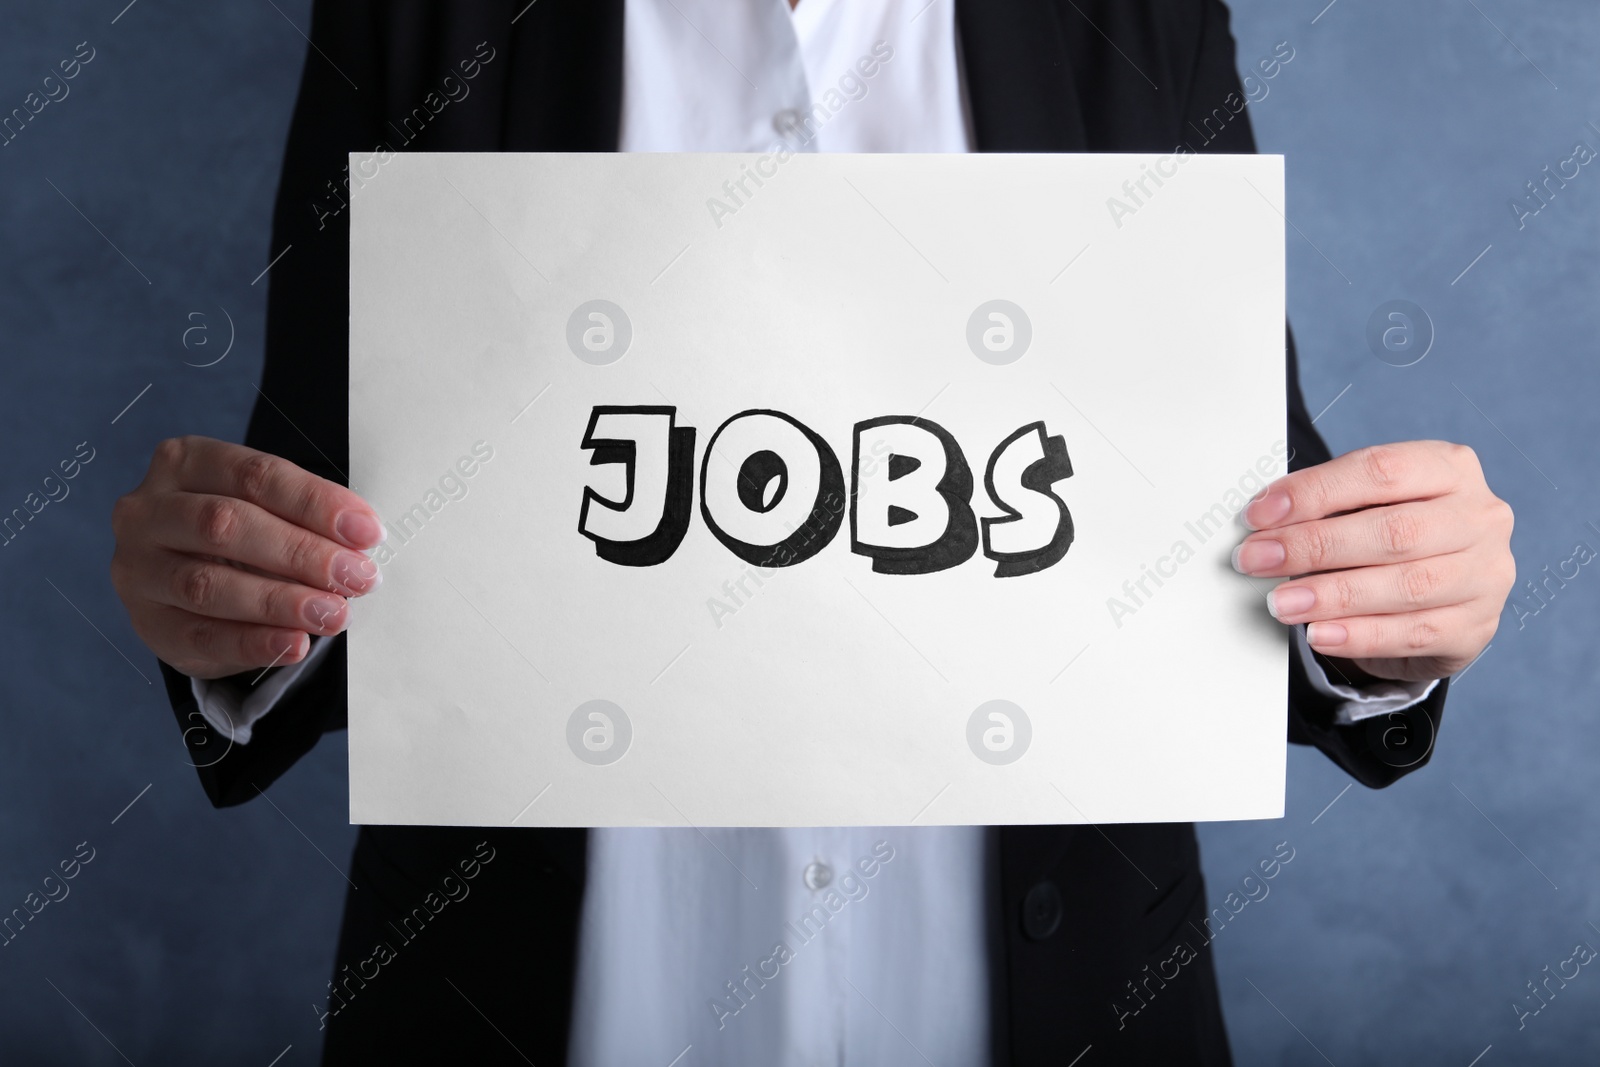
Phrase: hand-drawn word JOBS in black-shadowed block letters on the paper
(774, 494)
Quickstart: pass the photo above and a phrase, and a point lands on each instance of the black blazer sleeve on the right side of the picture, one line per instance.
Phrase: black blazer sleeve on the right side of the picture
(1386, 748)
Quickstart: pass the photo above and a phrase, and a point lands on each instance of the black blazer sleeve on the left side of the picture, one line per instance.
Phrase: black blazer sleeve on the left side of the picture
(302, 406)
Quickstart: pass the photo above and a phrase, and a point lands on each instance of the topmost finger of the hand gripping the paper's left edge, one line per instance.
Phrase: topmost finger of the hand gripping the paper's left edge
(204, 465)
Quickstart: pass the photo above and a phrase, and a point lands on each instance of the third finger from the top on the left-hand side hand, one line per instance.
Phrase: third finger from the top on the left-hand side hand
(218, 591)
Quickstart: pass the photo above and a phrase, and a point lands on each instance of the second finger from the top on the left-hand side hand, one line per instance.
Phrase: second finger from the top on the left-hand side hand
(198, 524)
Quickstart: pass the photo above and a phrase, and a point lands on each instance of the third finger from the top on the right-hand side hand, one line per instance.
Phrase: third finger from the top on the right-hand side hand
(1396, 588)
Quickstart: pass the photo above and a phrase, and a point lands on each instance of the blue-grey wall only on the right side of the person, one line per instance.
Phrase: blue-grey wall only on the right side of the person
(1412, 919)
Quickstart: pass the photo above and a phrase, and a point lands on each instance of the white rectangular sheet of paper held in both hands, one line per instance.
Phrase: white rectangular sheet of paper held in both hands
(1142, 677)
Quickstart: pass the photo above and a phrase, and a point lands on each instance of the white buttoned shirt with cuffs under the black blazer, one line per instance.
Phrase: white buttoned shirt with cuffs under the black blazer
(753, 946)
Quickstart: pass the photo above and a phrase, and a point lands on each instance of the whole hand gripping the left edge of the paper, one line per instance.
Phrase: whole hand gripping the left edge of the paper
(228, 557)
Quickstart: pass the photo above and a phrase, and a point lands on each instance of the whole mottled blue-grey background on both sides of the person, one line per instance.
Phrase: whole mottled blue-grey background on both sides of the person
(1409, 921)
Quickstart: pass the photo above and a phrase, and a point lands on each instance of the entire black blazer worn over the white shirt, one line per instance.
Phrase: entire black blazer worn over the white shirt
(1078, 914)
